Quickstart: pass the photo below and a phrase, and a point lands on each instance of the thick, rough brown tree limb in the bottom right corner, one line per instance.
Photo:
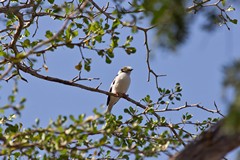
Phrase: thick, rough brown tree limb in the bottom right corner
(213, 144)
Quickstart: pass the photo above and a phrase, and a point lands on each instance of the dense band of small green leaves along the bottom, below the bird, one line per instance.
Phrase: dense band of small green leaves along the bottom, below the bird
(101, 136)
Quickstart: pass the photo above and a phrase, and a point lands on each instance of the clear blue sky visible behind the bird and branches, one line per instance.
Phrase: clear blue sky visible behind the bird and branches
(197, 65)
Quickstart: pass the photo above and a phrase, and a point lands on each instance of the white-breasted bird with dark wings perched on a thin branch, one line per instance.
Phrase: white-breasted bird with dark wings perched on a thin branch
(119, 85)
